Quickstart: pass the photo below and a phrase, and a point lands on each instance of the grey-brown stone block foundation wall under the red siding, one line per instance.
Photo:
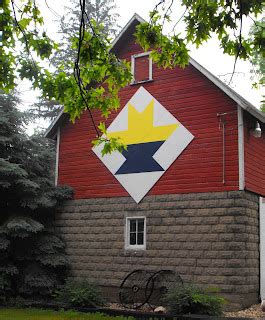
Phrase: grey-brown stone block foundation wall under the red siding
(209, 238)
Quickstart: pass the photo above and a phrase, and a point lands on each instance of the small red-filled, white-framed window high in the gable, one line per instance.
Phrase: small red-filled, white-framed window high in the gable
(141, 67)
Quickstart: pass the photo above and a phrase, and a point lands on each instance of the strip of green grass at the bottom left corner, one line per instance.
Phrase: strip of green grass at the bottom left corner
(37, 314)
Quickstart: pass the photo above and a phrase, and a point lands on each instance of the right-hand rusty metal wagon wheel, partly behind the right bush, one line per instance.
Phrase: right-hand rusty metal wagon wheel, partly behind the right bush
(160, 284)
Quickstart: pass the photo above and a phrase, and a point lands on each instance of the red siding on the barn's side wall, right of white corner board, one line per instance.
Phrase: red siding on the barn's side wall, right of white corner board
(254, 157)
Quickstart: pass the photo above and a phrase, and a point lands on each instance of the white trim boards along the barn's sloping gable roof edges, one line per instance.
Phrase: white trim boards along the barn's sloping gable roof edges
(243, 103)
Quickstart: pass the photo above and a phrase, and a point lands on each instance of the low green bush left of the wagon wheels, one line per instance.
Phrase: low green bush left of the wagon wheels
(80, 294)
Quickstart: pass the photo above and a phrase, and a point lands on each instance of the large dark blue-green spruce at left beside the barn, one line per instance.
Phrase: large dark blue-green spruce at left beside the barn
(32, 258)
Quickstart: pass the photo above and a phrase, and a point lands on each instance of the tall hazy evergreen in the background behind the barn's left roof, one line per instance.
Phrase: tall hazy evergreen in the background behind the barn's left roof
(103, 13)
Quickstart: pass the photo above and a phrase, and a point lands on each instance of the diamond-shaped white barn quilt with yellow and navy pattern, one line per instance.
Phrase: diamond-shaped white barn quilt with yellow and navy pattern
(154, 139)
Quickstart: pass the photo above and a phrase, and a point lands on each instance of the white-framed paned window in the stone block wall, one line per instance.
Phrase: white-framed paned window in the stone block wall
(135, 235)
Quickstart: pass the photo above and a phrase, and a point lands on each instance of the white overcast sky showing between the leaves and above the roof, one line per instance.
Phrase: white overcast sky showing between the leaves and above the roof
(209, 55)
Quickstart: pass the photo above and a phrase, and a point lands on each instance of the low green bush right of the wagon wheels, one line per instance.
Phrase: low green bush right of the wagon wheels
(192, 299)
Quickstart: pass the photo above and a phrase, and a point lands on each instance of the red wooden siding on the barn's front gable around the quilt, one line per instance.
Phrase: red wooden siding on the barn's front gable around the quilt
(195, 102)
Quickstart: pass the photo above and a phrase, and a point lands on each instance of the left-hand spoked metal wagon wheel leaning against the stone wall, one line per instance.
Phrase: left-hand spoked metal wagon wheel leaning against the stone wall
(132, 292)
